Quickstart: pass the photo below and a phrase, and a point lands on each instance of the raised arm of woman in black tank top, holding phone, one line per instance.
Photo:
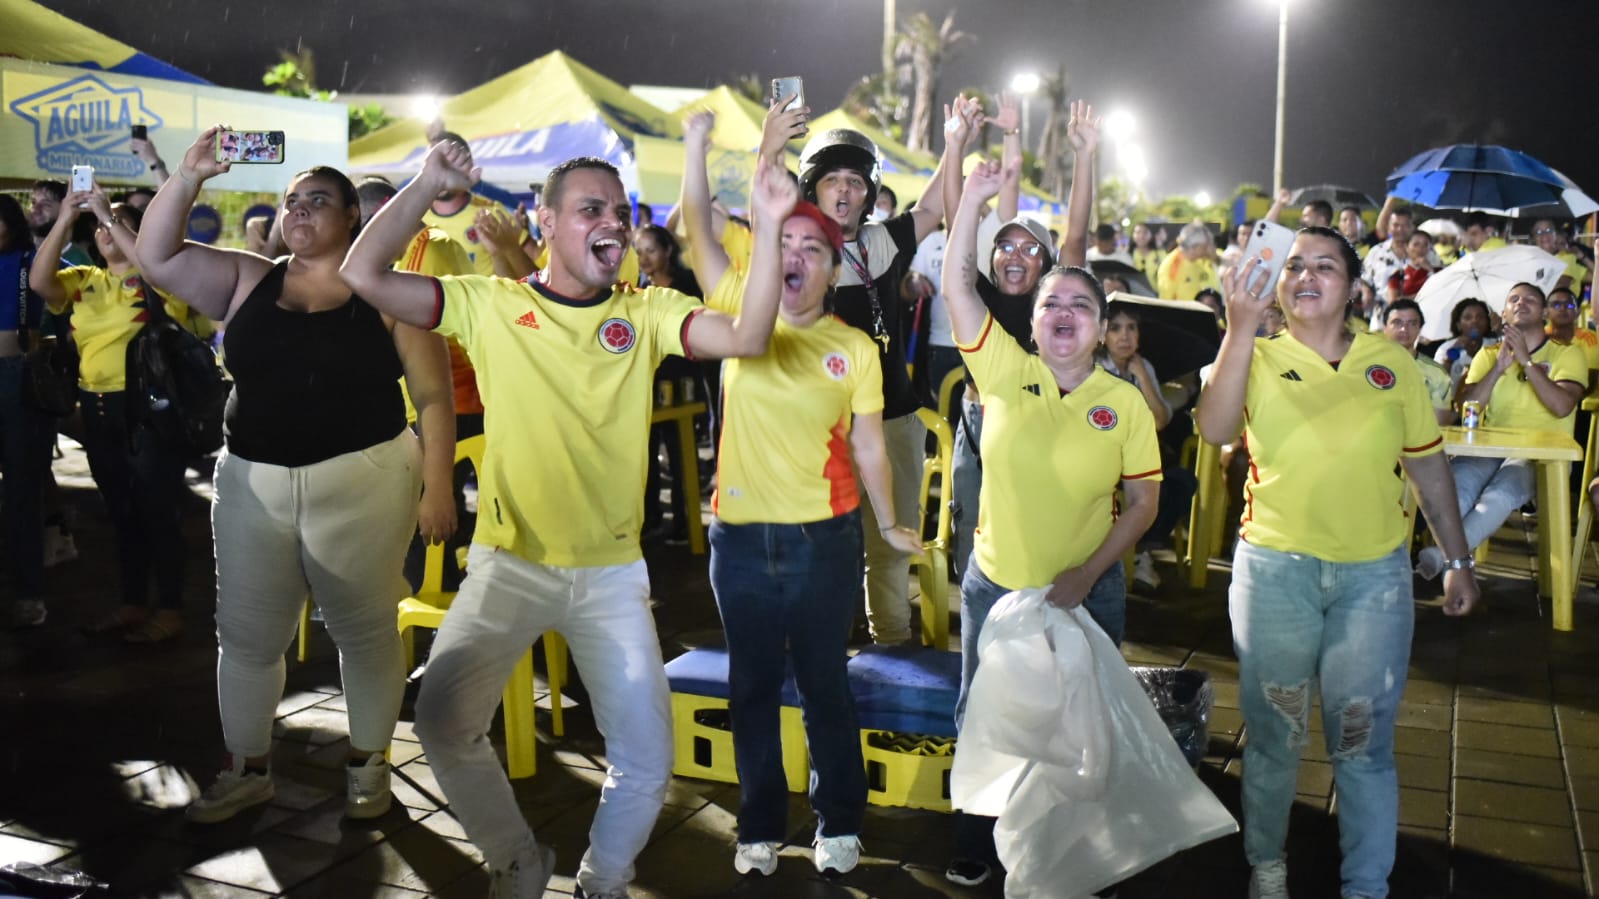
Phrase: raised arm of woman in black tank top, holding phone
(212, 281)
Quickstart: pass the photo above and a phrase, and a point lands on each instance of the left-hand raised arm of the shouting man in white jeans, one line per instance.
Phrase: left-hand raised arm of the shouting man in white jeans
(405, 297)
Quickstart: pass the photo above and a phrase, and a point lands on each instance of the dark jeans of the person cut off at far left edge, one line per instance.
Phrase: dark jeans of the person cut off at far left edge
(26, 436)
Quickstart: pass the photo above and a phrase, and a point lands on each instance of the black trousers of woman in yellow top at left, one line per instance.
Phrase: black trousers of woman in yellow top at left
(143, 485)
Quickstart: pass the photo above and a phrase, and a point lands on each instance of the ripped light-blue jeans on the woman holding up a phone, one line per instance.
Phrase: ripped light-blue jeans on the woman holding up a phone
(1299, 620)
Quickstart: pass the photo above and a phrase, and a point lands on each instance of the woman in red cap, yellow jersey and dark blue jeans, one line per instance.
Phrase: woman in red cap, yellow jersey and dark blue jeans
(786, 546)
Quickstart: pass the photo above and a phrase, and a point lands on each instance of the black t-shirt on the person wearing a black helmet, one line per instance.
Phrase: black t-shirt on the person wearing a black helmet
(885, 252)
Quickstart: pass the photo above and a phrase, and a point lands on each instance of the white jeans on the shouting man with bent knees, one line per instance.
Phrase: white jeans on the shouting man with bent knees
(604, 613)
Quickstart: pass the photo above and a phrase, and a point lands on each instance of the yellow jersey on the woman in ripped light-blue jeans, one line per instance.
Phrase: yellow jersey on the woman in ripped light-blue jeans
(1325, 444)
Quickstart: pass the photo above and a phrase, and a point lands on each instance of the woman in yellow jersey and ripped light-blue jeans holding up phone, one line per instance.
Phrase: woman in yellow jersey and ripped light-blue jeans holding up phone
(1322, 577)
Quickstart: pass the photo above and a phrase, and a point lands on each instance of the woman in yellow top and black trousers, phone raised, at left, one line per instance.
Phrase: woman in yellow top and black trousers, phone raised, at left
(138, 476)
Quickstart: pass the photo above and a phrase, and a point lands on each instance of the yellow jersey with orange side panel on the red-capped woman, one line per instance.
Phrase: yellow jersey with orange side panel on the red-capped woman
(786, 420)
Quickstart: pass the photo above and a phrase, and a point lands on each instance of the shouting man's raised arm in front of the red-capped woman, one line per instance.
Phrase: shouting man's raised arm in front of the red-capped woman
(714, 335)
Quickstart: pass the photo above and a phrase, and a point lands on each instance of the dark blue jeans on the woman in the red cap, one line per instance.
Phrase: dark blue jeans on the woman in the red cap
(797, 586)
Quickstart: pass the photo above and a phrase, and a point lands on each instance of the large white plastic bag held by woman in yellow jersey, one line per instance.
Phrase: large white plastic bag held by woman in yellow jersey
(1083, 802)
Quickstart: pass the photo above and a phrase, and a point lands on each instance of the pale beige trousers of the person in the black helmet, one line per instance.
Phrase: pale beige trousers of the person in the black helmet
(888, 570)
